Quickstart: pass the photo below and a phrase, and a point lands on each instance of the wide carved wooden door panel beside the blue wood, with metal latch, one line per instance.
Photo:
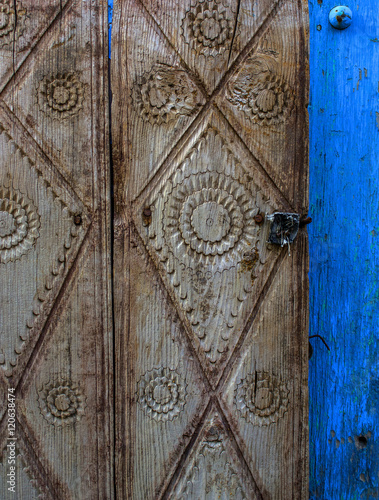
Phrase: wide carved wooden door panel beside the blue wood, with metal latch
(209, 137)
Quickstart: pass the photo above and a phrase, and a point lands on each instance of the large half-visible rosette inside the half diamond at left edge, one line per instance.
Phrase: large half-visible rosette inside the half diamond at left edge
(19, 223)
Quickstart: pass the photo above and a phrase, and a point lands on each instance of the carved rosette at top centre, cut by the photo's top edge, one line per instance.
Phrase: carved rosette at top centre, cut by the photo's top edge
(208, 27)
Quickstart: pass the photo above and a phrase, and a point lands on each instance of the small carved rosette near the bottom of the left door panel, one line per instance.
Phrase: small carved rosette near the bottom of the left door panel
(61, 403)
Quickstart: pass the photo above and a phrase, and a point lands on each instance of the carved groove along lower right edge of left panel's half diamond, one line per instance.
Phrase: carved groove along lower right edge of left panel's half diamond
(60, 300)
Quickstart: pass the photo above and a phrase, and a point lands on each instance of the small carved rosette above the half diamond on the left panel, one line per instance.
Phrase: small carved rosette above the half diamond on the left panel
(61, 95)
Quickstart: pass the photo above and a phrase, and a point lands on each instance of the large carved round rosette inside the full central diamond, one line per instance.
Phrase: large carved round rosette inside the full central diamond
(210, 213)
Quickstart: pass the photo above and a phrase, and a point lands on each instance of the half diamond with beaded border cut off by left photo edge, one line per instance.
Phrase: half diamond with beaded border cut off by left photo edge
(32, 259)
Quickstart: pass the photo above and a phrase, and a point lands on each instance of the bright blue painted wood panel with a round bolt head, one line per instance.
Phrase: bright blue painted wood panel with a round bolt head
(344, 251)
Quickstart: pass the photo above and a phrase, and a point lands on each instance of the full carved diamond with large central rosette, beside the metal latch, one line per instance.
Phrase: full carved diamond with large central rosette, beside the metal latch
(204, 235)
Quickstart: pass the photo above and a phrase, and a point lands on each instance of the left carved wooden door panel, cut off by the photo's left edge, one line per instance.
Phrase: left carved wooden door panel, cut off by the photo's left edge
(56, 333)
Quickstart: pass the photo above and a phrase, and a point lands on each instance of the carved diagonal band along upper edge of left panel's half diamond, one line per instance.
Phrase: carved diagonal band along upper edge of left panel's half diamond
(68, 195)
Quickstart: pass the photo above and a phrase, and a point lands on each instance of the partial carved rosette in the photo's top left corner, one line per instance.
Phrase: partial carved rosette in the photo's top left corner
(12, 22)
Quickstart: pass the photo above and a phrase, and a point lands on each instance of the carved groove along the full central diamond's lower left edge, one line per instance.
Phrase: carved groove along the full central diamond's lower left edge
(183, 320)
